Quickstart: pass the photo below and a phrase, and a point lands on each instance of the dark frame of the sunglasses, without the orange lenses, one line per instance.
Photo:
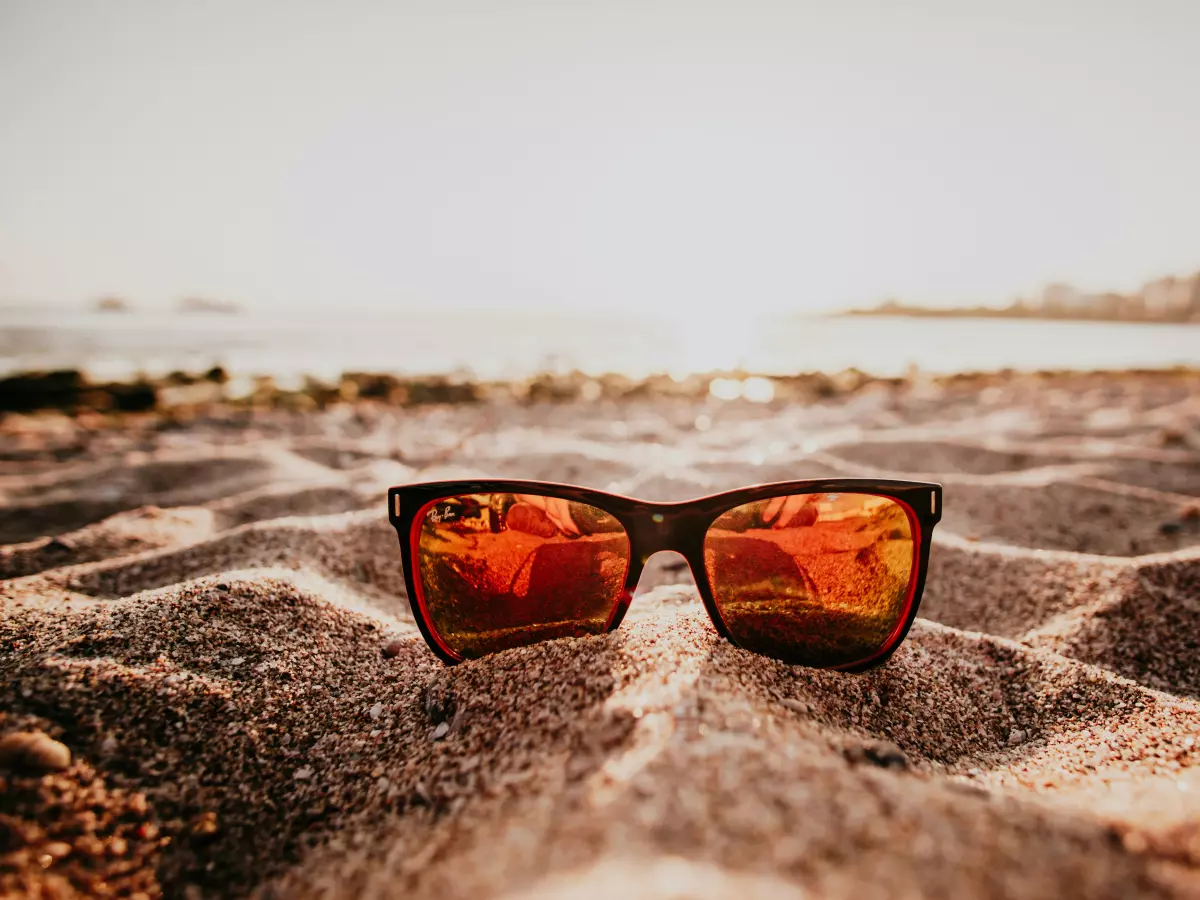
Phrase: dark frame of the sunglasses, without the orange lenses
(680, 527)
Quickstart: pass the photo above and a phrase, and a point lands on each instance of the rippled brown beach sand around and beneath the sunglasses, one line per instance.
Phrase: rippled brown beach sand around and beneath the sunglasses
(211, 616)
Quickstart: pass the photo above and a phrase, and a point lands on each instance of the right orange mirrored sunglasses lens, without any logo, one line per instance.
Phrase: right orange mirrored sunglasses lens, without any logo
(820, 579)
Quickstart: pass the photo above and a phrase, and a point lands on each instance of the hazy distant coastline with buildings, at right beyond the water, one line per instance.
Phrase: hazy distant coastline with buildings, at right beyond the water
(1161, 302)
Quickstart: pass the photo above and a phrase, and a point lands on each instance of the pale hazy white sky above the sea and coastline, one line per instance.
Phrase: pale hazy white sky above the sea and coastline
(634, 157)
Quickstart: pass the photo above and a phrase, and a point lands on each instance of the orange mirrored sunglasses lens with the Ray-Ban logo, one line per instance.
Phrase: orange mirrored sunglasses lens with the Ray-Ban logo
(501, 571)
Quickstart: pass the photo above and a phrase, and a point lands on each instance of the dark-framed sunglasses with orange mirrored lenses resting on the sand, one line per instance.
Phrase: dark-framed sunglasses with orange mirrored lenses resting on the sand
(824, 573)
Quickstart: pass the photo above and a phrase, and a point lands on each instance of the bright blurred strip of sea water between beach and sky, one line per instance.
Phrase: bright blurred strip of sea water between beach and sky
(509, 346)
